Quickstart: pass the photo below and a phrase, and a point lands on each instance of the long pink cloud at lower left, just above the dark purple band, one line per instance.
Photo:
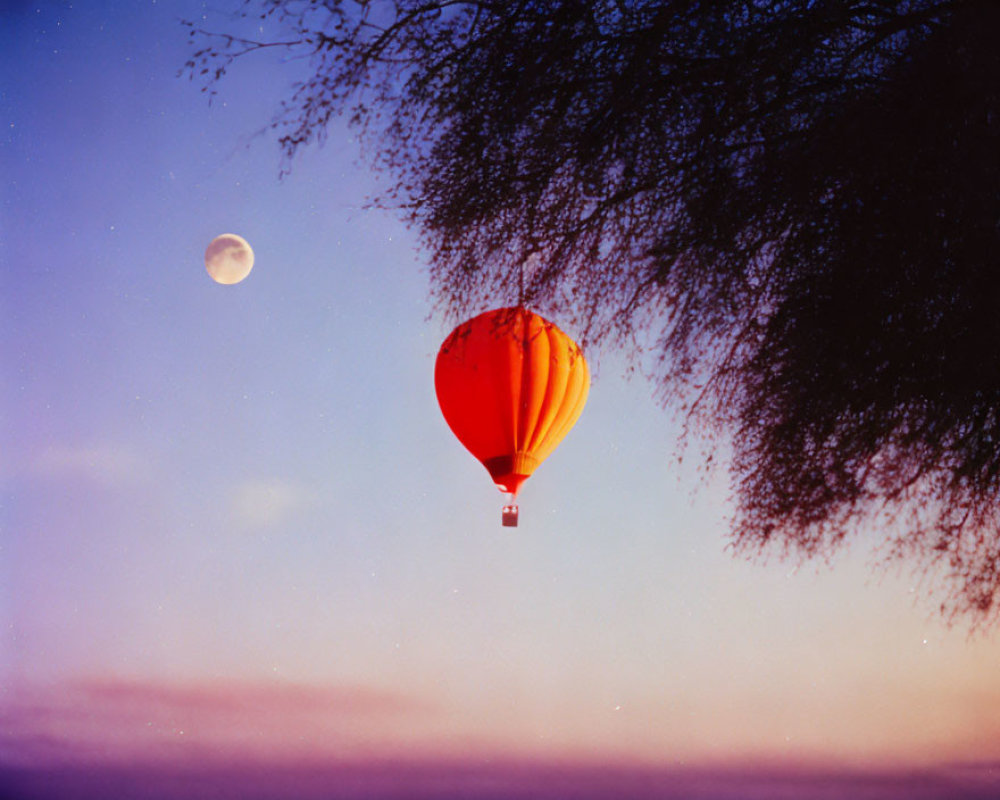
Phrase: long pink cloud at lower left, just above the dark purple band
(128, 721)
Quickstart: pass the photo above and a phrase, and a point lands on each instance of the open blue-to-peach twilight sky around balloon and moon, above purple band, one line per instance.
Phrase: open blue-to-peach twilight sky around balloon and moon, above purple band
(234, 525)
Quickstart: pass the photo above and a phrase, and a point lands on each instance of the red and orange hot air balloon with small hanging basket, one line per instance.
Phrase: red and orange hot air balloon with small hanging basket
(510, 385)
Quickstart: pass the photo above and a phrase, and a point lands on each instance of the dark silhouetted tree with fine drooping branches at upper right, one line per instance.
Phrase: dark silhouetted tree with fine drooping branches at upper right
(790, 210)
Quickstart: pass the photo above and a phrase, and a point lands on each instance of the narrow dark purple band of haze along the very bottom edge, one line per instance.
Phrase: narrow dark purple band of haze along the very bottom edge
(500, 781)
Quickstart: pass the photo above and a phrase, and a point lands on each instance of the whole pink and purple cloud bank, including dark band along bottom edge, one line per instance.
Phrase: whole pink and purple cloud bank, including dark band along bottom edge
(132, 738)
